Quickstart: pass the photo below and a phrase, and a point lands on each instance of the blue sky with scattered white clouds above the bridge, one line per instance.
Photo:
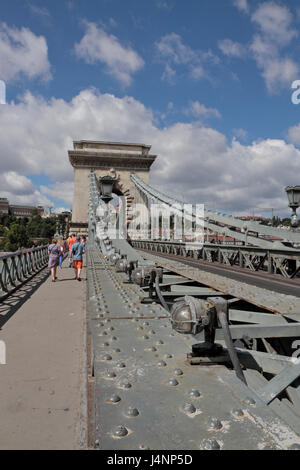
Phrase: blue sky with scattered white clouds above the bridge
(206, 83)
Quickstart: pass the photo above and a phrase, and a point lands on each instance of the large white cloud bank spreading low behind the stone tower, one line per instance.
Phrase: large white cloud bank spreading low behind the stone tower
(193, 159)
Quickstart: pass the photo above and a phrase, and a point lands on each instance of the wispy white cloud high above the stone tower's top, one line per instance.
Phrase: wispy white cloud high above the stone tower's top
(97, 46)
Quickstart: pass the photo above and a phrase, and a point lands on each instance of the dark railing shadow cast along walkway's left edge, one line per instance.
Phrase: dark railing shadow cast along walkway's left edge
(11, 304)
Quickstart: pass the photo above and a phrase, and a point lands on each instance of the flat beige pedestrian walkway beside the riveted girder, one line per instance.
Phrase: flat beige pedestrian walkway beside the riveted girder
(42, 325)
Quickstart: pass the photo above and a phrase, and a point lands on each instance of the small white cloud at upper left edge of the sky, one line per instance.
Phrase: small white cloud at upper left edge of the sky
(22, 53)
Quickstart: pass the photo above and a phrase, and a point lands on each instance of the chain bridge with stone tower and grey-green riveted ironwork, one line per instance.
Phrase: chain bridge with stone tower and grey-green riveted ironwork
(173, 343)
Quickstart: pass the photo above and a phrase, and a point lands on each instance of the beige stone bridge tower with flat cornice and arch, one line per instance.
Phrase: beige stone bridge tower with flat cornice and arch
(106, 158)
